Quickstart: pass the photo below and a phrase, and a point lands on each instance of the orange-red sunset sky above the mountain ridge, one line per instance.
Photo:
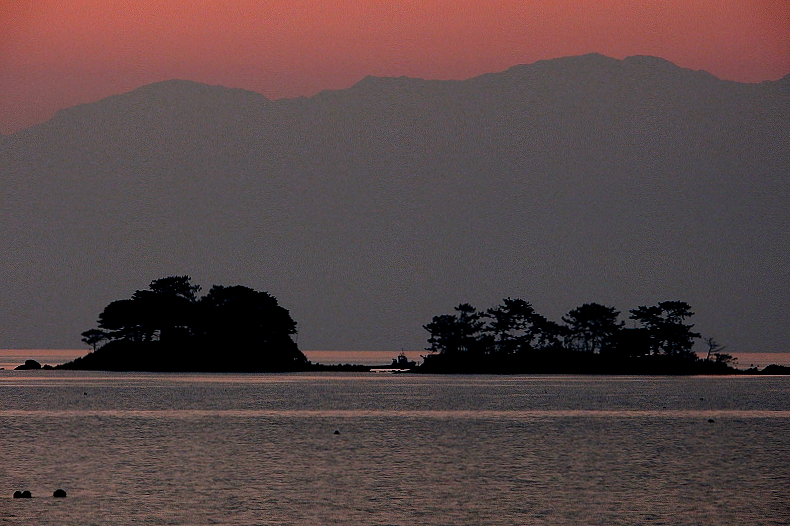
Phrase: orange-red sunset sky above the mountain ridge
(56, 53)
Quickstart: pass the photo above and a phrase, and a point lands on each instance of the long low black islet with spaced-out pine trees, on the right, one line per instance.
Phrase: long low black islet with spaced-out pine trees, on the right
(513, 338)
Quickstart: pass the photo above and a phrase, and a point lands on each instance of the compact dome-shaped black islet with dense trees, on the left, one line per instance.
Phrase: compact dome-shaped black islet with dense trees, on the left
(169, 328)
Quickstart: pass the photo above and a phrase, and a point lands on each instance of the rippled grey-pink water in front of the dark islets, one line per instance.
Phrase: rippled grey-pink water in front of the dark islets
(411, 450)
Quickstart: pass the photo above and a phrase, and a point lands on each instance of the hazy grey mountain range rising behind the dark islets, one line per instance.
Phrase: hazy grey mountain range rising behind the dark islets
(369, 210)
